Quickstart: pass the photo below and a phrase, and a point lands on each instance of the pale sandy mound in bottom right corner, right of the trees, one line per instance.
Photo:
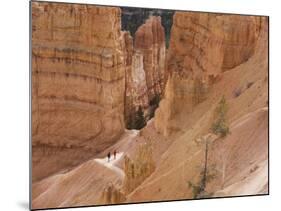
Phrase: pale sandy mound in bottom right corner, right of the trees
(244, 154)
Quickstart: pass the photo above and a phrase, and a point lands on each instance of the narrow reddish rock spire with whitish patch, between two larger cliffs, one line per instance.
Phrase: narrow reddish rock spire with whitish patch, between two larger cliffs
(145, 69)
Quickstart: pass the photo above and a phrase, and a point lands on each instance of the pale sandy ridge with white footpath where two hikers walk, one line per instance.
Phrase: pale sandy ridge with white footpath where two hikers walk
(83, 184)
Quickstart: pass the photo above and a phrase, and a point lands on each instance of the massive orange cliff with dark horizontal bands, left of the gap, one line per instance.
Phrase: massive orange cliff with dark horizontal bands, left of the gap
(78, 77)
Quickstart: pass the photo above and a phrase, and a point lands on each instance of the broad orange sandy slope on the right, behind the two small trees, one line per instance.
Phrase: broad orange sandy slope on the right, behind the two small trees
(248, 118)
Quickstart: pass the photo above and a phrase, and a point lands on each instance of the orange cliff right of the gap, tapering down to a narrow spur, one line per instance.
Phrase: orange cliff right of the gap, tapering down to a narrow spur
(202, 47)
